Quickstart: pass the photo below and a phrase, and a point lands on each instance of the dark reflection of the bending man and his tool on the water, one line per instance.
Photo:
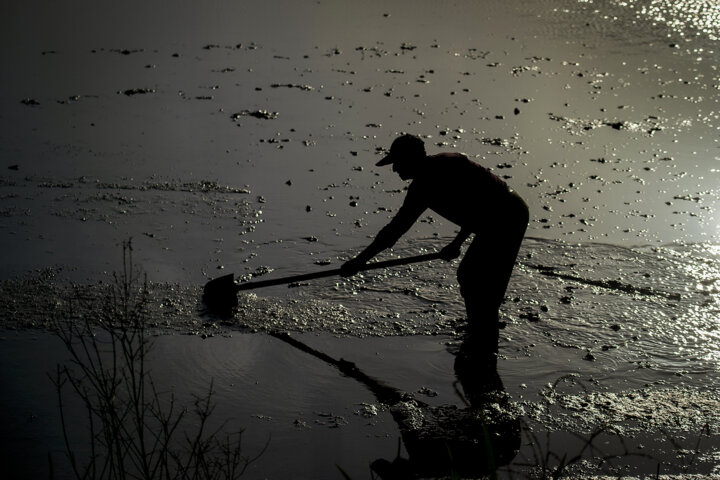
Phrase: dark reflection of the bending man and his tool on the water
(442, 440)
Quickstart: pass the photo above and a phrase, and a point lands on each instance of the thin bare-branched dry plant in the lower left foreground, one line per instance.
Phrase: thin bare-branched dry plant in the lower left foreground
(134, 429)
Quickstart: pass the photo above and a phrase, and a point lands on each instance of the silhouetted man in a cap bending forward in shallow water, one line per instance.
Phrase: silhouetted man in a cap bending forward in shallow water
(477, 201)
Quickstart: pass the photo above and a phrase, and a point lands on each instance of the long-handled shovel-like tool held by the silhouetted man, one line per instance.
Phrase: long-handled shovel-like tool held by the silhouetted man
(220, 294)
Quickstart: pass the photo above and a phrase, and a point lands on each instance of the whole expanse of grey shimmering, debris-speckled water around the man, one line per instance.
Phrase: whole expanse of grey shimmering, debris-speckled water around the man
(242, 138)
